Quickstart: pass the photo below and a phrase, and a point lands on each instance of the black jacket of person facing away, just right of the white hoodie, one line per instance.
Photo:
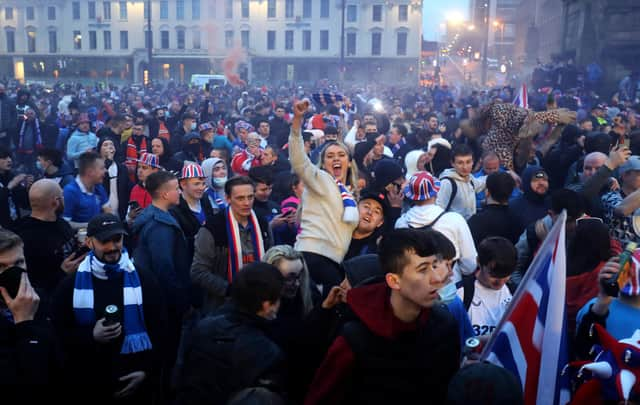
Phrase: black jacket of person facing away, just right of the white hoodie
(493, 220)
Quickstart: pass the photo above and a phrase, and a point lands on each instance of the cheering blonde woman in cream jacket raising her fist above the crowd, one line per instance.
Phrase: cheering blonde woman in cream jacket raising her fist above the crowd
(329, 210)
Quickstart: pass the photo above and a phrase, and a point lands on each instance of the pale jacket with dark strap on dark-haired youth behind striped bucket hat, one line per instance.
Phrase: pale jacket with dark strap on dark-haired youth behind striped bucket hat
(464, 202)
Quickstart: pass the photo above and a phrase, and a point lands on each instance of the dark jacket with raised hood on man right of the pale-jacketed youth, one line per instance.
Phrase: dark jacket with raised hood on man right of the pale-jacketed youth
(530, 206)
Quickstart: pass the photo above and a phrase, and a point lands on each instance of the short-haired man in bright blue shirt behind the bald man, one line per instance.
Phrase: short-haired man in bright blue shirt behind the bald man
(85, 197)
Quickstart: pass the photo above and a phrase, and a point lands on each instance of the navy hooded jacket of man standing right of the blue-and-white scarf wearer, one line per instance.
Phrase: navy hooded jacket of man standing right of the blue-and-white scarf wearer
(162, 249)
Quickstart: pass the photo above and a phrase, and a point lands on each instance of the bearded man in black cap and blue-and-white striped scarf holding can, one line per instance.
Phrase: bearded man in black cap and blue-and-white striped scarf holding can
(110, 319)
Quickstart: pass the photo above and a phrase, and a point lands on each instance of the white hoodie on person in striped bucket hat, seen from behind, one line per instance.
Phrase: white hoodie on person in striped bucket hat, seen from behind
(453, 226)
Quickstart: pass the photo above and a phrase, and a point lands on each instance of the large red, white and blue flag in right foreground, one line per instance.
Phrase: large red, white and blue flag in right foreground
(531, 339)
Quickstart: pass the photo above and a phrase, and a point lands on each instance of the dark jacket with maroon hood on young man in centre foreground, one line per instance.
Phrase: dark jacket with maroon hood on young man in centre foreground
(378, 359)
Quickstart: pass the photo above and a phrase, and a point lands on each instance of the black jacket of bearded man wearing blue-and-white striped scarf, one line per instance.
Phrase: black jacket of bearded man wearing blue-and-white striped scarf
(95, 366)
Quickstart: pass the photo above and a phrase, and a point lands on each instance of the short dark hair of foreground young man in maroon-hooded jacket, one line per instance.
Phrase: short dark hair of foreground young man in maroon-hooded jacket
(395, 245)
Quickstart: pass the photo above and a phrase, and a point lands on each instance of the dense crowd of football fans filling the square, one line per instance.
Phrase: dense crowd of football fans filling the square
(294, 245)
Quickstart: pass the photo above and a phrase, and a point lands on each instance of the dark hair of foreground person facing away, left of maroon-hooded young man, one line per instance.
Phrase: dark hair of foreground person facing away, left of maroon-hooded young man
(256, 283)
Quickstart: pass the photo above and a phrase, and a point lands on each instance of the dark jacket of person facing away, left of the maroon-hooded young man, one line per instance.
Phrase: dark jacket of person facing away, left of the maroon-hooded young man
(227, 353)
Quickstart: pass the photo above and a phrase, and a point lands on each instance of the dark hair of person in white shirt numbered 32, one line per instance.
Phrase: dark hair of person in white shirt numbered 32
(499, 255)
